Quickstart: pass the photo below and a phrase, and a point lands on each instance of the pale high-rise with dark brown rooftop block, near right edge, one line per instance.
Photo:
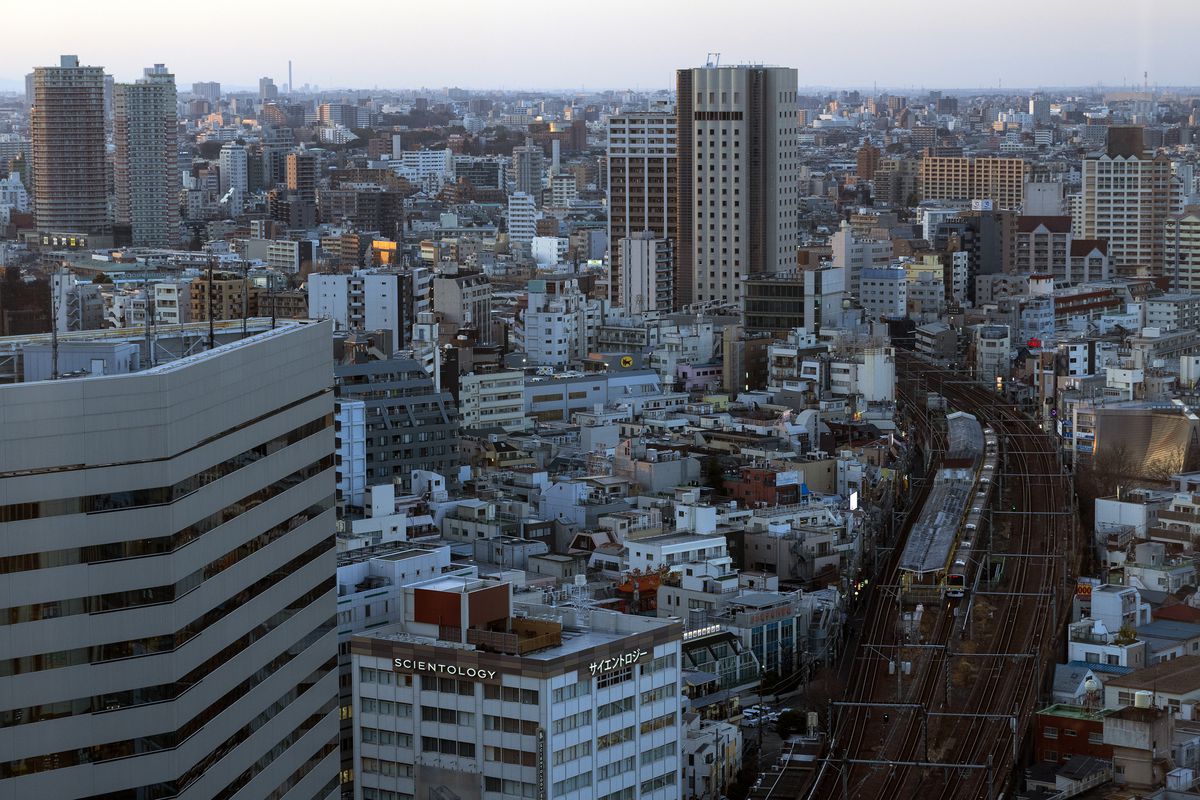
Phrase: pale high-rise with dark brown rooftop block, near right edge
(1129, 196)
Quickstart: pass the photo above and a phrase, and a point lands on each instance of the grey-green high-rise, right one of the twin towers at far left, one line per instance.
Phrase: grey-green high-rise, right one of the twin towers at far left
(147, 164)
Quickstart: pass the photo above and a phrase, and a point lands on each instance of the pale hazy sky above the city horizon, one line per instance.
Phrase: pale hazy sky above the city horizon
(615, 44)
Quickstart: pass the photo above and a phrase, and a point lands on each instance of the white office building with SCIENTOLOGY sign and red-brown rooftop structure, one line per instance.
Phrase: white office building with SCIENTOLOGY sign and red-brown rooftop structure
(483, 695)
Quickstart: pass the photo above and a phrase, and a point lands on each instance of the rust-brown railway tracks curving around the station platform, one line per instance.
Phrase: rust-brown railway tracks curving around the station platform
(982, 727)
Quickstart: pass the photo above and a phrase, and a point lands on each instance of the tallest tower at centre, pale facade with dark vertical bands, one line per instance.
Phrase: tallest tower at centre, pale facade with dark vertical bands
(739, 166)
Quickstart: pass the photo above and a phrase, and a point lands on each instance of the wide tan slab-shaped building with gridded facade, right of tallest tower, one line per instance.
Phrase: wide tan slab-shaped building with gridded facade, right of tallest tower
(958, 178)
